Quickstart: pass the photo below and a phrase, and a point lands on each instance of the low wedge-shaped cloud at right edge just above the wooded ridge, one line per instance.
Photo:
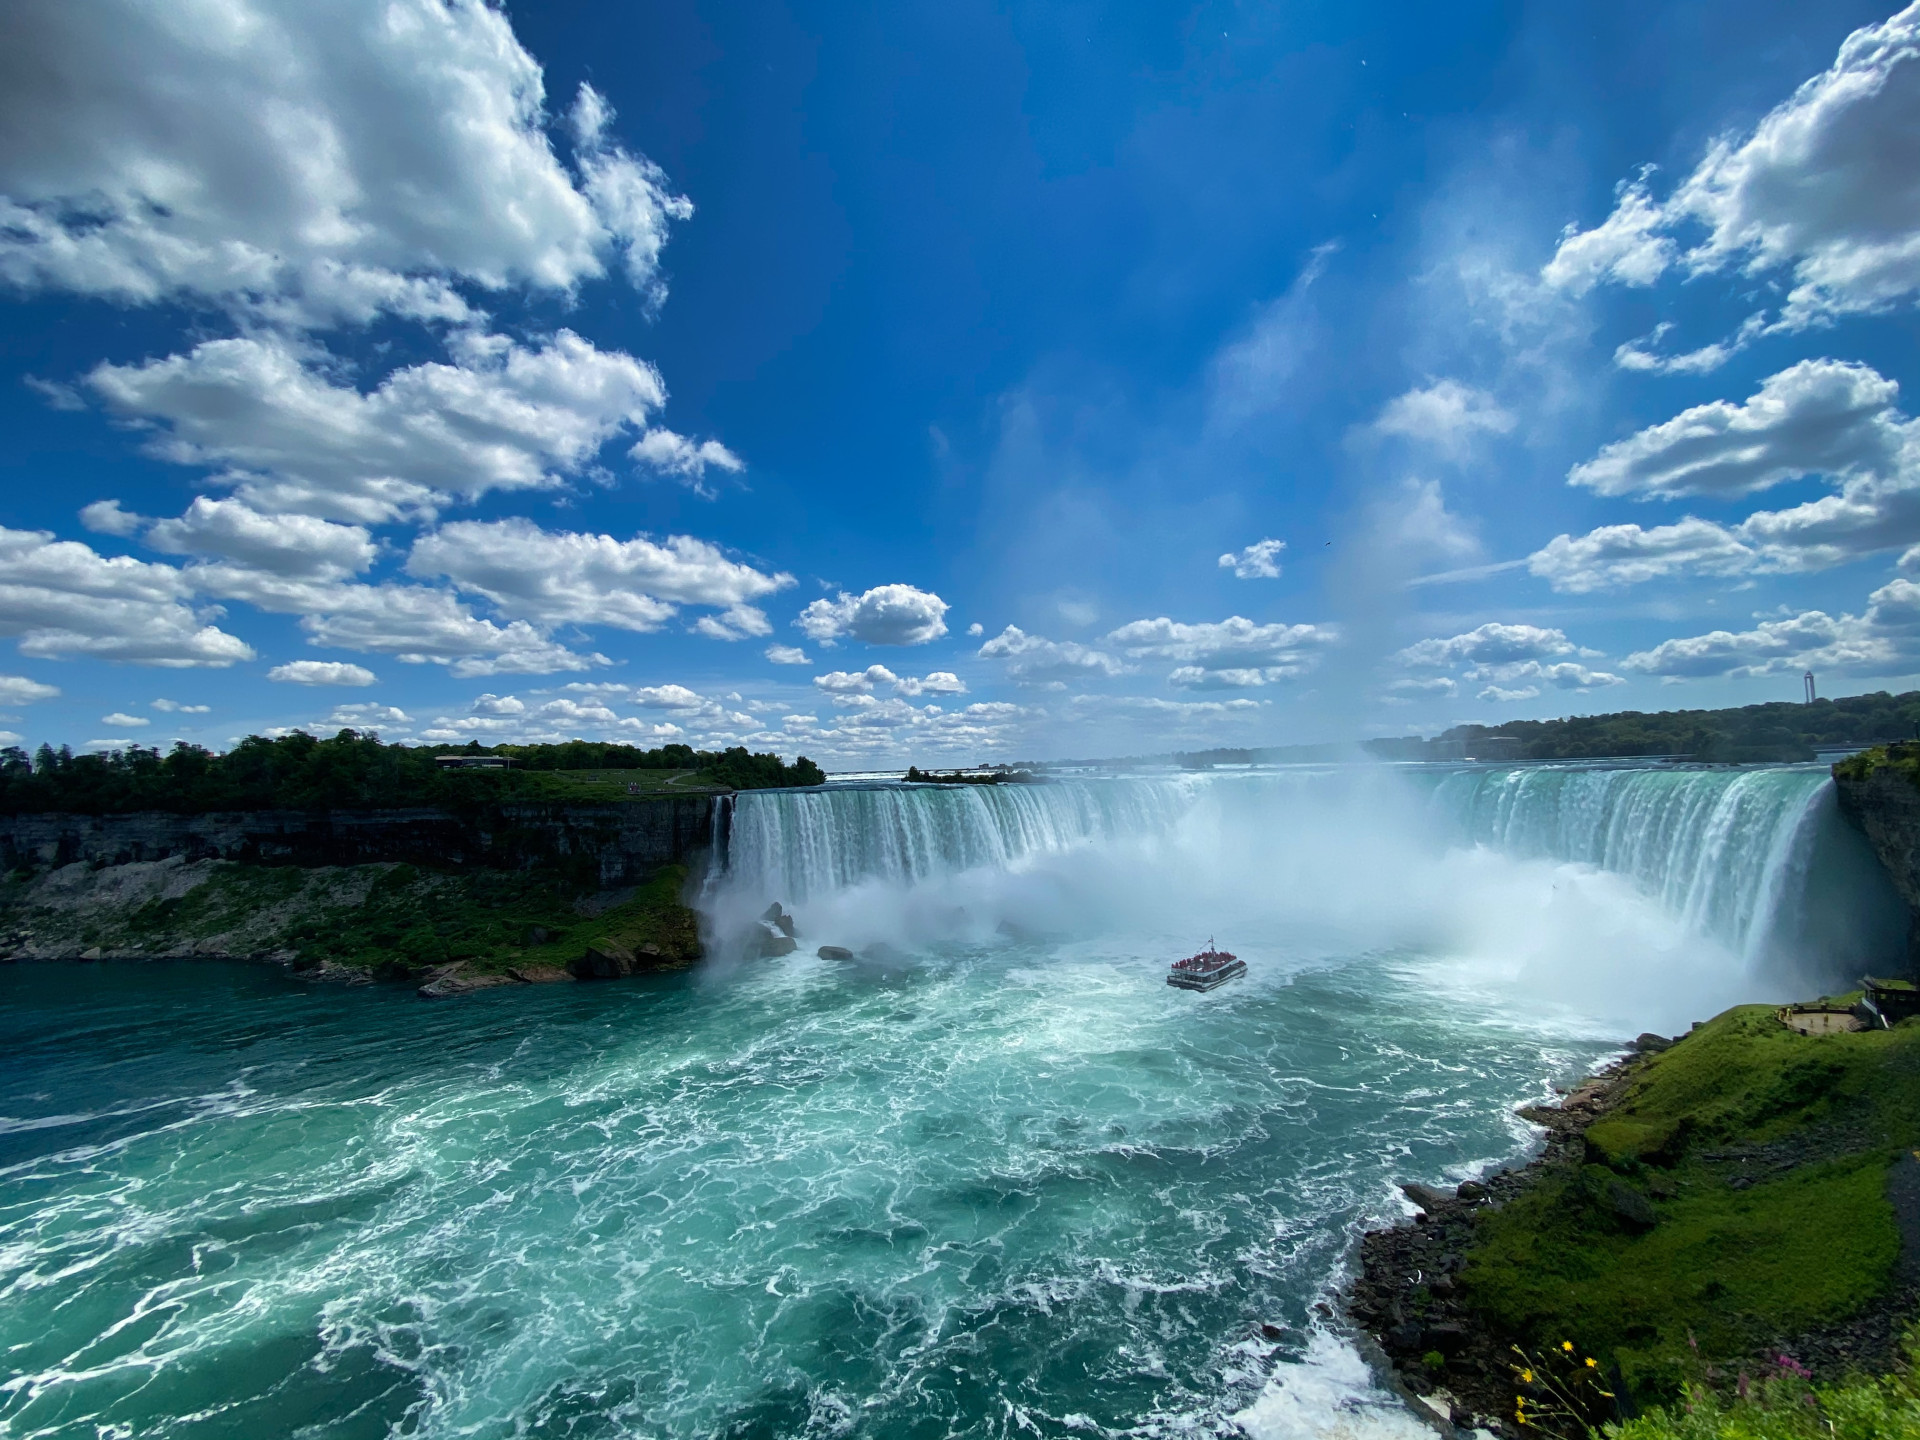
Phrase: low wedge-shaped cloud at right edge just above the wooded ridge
(1883, 642)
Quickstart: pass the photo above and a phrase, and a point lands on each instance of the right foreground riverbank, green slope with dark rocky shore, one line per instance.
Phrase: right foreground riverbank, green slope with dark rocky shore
(1698, 1211)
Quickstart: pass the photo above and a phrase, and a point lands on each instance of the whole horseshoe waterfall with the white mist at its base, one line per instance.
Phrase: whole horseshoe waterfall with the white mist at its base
(1754, 861)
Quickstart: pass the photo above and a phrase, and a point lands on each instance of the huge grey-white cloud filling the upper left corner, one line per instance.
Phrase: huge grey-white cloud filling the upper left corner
(304, 162)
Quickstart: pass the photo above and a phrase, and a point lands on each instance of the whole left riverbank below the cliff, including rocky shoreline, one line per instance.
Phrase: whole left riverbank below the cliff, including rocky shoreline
(356, 924)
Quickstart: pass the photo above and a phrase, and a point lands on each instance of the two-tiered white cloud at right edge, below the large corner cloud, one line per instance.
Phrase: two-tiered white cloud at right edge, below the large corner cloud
(1815, 420)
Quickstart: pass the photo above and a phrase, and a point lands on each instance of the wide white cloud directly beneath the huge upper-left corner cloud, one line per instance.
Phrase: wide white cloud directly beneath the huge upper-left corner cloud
(291, 439)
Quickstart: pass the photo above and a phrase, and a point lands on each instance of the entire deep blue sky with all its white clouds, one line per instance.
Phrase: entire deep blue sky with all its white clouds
(951, 383)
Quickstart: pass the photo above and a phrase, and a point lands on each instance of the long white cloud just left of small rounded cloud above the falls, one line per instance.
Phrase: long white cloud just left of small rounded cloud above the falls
(579, 579)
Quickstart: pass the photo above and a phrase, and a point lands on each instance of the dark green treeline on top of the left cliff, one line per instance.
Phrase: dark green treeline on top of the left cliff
(348, 773)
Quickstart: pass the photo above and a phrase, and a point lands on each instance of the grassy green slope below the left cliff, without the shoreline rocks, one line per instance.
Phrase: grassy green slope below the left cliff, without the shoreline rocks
(373, 915)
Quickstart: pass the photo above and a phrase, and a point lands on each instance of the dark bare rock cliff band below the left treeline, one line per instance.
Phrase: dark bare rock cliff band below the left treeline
(627, 842)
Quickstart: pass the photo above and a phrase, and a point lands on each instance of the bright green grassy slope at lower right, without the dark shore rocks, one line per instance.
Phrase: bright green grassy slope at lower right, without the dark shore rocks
(1810, 1122)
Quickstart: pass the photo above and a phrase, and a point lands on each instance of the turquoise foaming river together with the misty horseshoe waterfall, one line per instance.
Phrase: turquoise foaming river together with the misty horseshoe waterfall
(990, 1178)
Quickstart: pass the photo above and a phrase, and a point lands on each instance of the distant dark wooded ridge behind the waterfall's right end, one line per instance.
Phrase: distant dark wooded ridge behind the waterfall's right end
(1740, 736)
